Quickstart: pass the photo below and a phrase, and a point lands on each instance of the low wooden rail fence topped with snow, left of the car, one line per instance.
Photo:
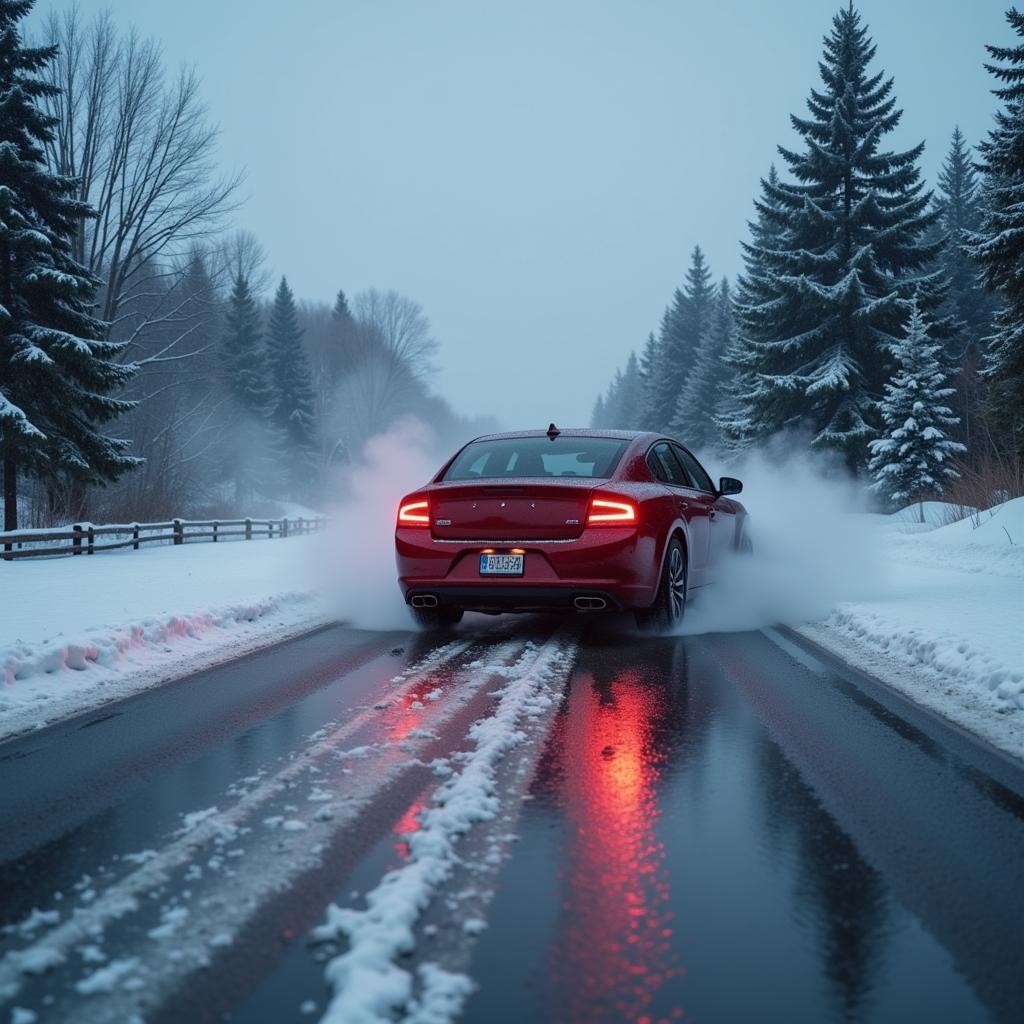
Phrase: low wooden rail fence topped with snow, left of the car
(87, 539)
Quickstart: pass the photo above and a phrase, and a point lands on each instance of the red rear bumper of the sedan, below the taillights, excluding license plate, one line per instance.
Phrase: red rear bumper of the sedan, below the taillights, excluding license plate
(617, 565)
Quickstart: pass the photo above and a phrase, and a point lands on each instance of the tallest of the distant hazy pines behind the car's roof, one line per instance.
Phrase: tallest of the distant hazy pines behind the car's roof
(684, 325)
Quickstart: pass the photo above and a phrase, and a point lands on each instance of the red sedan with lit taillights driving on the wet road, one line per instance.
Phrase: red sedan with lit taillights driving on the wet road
(566, 521)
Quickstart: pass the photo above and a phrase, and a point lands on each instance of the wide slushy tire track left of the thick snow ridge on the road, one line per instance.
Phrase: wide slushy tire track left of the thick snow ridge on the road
(338, 796)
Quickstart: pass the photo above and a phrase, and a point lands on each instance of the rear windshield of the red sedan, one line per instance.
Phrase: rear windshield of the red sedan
(593, 457)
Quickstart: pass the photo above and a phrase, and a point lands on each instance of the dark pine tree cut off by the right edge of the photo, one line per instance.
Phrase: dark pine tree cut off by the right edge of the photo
(999, 243)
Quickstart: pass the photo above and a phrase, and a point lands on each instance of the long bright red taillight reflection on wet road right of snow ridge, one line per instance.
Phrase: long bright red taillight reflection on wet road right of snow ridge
(617, 936)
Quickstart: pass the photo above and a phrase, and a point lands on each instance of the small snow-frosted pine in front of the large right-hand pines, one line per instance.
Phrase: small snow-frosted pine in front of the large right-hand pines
(914, 458)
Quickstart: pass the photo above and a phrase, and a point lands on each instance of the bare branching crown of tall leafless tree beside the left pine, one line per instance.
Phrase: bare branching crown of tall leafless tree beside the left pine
(144, 151)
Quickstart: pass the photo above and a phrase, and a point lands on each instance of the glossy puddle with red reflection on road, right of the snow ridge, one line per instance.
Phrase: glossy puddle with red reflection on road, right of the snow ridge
(678, 864)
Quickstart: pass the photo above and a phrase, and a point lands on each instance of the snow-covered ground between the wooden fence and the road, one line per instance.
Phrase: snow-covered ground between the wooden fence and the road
(76, 633)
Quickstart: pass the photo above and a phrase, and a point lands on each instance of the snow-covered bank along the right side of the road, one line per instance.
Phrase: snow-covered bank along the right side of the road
(948, 627)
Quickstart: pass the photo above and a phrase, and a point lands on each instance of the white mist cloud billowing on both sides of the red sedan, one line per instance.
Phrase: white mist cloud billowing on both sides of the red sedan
(813, 549)
